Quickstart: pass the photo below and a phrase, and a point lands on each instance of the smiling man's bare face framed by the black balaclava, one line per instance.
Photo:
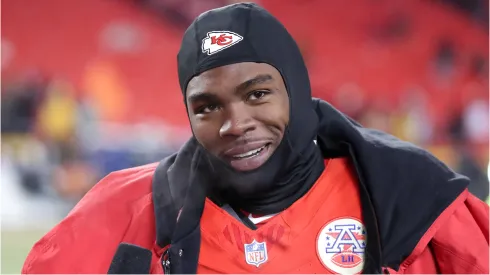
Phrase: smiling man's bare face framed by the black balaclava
(239, 112)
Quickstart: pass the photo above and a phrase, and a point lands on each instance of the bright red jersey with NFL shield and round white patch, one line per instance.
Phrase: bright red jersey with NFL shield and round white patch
(314, 235)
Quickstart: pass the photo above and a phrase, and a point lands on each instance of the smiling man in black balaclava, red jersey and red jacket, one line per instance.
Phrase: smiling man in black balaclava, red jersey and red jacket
(272, 181)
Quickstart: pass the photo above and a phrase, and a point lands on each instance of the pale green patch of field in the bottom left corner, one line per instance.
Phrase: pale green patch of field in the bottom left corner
(15, 247)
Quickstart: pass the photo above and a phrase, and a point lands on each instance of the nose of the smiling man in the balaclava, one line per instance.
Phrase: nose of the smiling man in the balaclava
(238, 121)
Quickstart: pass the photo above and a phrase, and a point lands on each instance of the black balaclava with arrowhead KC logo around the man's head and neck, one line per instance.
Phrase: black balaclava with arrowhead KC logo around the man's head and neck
(251, 34)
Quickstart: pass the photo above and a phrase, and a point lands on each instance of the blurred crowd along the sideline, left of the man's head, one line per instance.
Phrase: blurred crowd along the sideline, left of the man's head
(54, 139)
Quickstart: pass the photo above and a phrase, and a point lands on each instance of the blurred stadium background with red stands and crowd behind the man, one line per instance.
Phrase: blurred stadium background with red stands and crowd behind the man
(90, 86)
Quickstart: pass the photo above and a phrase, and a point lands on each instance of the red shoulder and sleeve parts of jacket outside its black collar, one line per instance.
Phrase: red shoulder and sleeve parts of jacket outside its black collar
(120, 209)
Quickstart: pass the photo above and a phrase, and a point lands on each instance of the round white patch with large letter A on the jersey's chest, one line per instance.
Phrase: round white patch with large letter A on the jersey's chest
(341, 244)
